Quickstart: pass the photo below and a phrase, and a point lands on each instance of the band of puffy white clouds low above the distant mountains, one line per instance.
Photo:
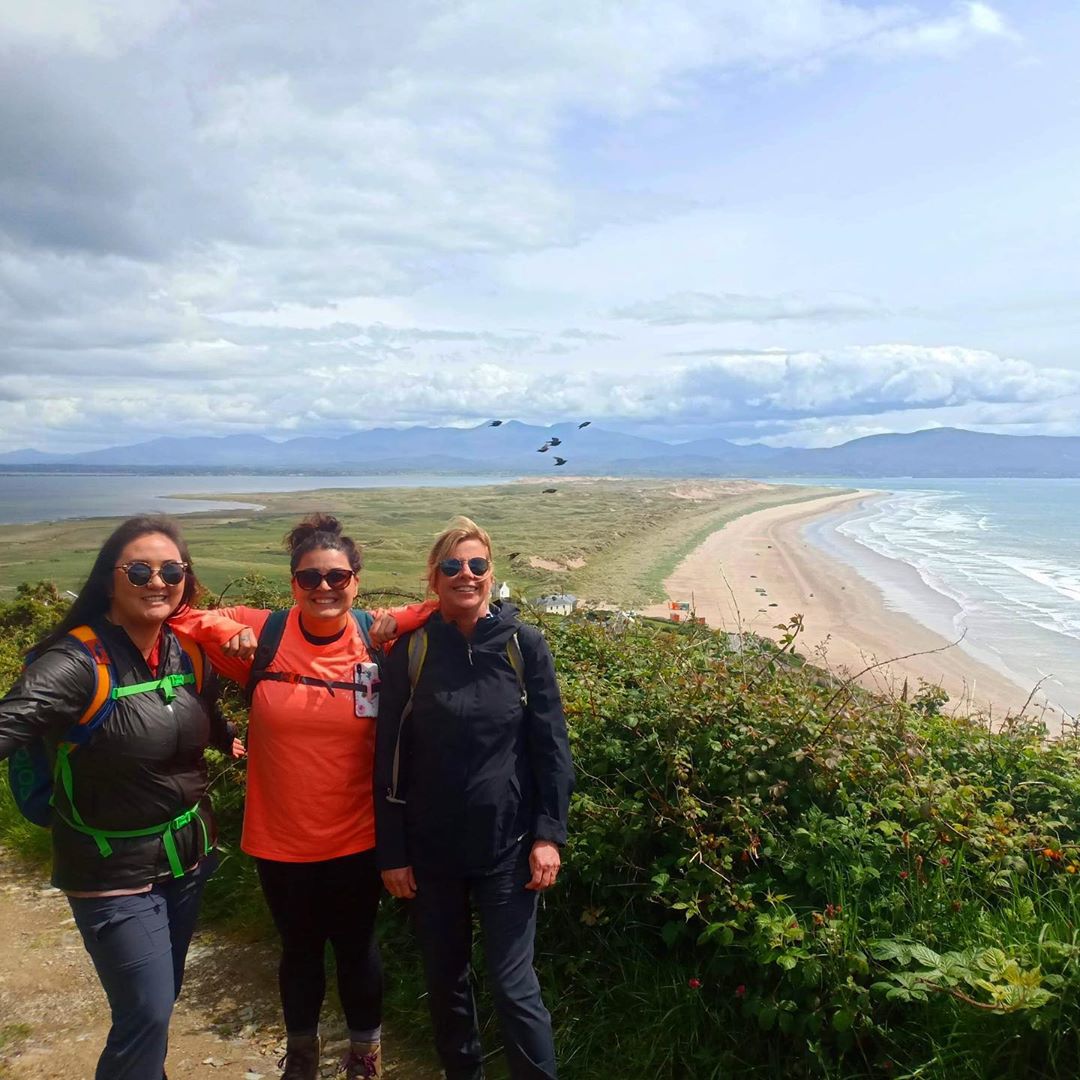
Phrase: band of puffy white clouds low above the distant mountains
(799, 397)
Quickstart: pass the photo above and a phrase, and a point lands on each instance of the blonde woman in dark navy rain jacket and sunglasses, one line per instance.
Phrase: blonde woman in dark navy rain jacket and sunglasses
(472, 786)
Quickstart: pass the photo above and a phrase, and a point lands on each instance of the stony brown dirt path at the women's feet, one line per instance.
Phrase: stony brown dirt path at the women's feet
(55, 1017)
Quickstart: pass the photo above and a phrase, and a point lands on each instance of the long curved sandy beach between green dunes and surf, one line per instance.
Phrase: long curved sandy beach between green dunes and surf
(759, 571)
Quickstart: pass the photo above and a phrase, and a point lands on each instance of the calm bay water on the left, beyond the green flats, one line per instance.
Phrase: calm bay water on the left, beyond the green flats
(49, 497)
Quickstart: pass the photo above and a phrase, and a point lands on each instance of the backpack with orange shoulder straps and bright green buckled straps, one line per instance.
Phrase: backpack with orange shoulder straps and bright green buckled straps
(34, 773)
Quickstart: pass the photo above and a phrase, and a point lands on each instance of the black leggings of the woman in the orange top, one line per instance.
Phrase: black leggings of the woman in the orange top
(313, 903)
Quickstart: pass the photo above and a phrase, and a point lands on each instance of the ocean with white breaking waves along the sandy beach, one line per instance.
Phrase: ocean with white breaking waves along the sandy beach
(997, 564)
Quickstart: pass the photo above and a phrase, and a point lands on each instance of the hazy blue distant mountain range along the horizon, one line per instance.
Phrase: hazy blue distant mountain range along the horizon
(511, 448)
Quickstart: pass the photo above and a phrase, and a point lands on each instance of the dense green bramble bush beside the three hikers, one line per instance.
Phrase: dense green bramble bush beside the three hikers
(769, 872)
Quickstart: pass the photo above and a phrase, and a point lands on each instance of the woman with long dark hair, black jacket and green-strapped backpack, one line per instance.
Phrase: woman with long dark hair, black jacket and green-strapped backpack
(126, 708)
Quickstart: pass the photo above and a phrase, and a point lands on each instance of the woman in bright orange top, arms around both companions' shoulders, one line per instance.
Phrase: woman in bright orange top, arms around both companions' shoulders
(309, 818)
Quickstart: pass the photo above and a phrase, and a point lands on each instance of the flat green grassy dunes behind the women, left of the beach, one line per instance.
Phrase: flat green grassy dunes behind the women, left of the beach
(618, 539)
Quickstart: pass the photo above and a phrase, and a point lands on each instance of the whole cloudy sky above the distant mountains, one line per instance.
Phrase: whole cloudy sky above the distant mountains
(795, 222)
